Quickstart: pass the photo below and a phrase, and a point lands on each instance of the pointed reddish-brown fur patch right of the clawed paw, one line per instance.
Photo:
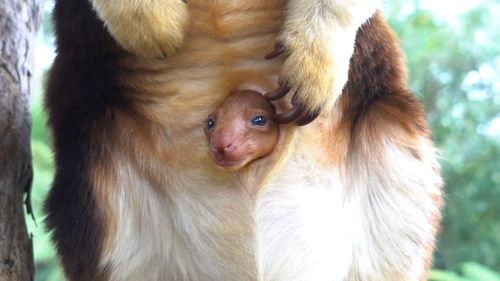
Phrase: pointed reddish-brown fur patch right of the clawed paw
(376, 96)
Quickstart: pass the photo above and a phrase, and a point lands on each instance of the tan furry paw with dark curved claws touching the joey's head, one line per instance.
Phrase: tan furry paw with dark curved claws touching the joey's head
(314, 73)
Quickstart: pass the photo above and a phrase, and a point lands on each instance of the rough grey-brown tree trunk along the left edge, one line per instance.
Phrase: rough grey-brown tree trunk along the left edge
(19, 21)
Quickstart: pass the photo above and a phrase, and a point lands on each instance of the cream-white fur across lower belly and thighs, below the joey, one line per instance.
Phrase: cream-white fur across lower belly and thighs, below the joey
(368, 223)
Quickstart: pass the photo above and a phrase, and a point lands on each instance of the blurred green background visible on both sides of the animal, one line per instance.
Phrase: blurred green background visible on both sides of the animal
(453, 54)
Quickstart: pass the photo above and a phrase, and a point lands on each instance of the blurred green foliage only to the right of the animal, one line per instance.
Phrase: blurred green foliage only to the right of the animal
(454, 65)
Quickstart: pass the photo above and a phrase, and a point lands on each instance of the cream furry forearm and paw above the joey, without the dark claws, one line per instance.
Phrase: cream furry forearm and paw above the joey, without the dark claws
(319, 37)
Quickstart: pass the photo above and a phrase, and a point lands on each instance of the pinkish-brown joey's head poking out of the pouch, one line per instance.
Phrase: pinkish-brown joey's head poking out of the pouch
(241, 130)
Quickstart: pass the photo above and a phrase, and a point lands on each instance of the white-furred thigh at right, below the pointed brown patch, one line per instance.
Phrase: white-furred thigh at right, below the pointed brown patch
(393, 206)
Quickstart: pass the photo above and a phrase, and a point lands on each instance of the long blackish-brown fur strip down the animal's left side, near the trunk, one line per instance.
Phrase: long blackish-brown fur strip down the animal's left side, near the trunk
(80, 98)
